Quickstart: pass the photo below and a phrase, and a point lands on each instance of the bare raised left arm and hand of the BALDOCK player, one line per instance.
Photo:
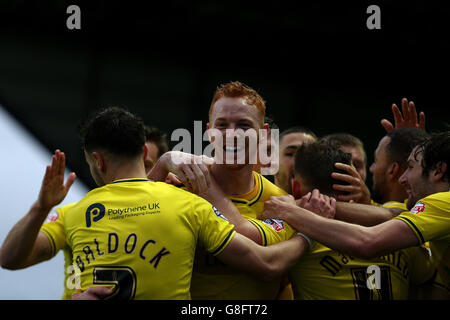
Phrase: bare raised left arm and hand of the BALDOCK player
(25, 245)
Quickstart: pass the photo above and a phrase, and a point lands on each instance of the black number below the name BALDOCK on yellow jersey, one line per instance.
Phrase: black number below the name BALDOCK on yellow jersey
(123, 279)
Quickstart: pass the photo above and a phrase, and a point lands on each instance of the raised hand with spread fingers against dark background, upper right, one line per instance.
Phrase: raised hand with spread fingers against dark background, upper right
(406, 120)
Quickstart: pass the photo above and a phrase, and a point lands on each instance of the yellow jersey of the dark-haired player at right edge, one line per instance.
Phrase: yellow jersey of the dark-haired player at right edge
(430, 221)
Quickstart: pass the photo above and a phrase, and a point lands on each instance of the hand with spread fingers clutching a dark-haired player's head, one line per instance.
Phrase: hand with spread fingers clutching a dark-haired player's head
(356, 188)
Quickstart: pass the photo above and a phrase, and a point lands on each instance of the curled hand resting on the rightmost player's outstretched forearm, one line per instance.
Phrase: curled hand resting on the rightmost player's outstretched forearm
(318, 203)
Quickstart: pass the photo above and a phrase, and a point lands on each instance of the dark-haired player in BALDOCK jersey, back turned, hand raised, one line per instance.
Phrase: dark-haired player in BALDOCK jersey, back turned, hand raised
(135, 235)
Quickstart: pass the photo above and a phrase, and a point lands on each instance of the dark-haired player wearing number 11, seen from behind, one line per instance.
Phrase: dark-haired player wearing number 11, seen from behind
(323, 273)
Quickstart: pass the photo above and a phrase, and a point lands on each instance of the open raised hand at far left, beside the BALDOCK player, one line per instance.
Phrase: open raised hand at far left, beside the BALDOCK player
(53, 189)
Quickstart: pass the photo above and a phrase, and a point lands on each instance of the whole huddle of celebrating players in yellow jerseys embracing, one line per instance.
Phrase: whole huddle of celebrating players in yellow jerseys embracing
(171, 225)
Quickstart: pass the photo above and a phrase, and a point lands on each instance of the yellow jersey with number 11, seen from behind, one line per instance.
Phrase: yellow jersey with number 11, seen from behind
(325, 274)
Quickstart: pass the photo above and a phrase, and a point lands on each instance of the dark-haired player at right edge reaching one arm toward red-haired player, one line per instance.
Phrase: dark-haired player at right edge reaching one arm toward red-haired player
(427, 184)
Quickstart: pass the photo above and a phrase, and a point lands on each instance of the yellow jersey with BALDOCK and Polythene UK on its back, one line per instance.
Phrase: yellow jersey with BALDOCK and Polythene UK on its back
(140, 237)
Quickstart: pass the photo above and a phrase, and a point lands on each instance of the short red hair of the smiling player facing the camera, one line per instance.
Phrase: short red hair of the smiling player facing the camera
(236, 89)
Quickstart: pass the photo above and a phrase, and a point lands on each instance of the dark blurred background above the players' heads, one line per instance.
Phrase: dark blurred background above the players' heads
(314, 62)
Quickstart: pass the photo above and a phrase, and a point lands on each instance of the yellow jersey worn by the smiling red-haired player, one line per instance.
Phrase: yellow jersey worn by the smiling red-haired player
(213, 279)
